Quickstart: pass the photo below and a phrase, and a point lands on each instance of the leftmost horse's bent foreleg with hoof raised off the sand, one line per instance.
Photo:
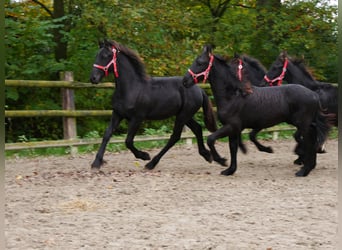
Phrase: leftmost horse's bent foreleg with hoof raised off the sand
(133, 126)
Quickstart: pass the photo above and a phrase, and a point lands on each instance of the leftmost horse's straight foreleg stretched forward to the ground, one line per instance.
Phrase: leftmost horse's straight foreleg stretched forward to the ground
(113, 124)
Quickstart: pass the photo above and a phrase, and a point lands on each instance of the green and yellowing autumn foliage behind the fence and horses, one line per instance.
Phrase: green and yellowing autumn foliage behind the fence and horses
(167, 34)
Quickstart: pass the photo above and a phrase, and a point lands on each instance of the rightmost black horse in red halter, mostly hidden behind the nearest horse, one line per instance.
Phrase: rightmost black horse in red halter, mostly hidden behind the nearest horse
(294, 71)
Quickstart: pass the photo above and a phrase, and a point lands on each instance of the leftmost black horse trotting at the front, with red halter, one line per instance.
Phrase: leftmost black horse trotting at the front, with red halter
(138, 97)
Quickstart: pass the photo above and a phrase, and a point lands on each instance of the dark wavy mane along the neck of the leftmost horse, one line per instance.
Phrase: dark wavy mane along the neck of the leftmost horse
(133, 57)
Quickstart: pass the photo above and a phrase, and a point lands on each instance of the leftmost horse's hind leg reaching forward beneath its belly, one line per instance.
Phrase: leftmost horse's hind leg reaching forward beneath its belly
(176, 134)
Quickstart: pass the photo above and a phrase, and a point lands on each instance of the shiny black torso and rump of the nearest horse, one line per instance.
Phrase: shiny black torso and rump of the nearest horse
(268, 106)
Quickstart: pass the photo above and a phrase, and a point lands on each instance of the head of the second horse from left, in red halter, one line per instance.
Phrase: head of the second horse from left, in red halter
(200, 68)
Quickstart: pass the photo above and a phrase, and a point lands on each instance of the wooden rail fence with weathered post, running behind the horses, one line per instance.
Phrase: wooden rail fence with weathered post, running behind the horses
(69, 114)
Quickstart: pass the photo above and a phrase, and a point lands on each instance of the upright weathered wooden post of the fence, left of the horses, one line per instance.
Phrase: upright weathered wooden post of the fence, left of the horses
(69, 123)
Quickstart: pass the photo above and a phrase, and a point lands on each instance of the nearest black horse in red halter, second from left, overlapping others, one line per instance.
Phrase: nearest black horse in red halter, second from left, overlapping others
(241, 105)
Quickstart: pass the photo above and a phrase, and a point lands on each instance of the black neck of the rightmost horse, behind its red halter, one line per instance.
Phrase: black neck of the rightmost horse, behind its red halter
(295, 74)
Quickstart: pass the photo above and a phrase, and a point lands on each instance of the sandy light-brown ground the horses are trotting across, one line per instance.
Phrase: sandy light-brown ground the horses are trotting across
(58, 203)
